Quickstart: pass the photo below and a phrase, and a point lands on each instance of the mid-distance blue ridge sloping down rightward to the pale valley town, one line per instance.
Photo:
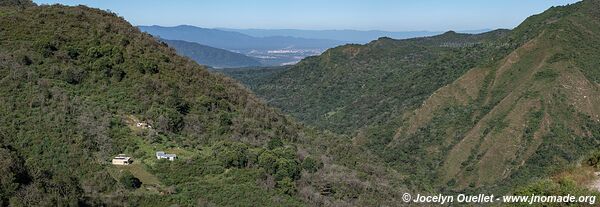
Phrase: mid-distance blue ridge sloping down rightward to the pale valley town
(235, 40)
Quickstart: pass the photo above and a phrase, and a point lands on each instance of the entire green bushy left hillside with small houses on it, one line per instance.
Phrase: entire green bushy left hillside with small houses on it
(74, 84)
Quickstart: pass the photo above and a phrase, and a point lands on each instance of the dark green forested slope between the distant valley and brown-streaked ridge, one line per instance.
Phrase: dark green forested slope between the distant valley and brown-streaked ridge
(349, 87)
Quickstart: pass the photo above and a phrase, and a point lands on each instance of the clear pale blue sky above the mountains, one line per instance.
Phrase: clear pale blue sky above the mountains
(391, 15)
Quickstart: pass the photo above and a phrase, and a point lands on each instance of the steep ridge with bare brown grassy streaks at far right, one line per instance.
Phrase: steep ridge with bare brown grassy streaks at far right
(528, 115)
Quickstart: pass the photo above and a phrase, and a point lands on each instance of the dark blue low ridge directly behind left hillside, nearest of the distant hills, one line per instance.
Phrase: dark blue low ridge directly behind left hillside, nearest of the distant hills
(210, 56)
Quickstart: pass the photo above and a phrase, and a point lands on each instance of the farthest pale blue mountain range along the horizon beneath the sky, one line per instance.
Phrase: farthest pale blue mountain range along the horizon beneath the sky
(348, 36)
